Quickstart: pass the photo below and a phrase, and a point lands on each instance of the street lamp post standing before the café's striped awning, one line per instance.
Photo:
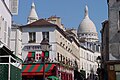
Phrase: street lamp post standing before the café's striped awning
(45, 46)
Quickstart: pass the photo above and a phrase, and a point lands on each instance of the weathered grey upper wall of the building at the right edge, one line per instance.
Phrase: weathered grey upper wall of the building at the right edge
(114, 27)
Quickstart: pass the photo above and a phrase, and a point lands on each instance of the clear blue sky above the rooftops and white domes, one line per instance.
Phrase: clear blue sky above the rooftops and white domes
(70, 11)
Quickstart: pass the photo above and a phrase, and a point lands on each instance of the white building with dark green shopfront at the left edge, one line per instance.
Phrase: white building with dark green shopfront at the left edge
(10, 64)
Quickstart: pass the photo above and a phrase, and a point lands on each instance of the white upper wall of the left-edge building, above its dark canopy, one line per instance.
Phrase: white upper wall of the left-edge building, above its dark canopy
(6, 17)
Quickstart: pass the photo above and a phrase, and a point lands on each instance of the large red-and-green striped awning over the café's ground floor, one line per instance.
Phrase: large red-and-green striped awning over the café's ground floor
(36, 68)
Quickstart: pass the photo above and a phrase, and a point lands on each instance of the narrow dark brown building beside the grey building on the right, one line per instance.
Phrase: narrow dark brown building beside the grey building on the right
(104, 49)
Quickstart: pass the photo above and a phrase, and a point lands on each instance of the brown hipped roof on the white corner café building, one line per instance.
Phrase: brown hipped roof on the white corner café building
(40, 22)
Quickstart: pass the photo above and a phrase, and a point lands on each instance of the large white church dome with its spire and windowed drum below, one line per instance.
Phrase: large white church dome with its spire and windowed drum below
(87, 30)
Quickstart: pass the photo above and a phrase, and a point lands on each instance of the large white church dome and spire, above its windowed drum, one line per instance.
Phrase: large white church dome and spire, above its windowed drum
(87, 26)
